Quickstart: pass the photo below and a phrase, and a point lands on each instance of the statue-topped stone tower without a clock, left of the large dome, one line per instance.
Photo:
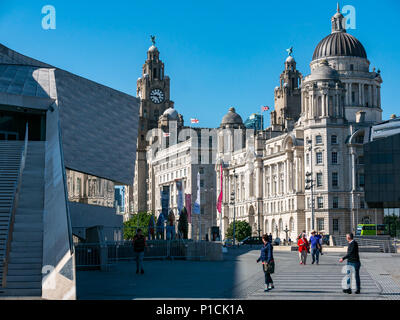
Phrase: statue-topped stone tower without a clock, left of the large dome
(287, 95)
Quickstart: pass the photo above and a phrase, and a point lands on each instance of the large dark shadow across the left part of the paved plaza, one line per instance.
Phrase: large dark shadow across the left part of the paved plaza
(170, 278)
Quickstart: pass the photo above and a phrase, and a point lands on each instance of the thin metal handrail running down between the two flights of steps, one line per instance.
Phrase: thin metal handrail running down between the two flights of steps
(14, 207)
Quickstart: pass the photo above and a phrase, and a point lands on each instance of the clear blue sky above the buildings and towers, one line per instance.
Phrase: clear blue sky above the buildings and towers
(218, 53)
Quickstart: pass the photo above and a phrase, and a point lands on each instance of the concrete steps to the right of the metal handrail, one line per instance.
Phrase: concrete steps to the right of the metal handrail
(24, 277)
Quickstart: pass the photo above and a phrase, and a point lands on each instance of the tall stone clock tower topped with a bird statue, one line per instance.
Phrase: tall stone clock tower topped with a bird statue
(153, 89)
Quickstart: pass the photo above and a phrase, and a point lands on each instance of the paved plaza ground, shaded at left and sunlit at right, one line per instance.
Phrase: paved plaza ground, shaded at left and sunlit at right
(240, 277)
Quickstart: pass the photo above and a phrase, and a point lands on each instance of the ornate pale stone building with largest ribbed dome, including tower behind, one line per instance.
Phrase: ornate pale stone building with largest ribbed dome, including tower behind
(317, 131)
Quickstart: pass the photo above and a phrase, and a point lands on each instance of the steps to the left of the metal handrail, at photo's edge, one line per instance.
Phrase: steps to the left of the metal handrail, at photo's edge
(10, 158)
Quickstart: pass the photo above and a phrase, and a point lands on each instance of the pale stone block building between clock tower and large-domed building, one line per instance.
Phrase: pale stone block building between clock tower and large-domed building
(180, 157)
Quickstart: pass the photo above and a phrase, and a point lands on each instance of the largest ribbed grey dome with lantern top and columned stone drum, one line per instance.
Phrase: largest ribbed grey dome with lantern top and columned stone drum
(347, 56)
